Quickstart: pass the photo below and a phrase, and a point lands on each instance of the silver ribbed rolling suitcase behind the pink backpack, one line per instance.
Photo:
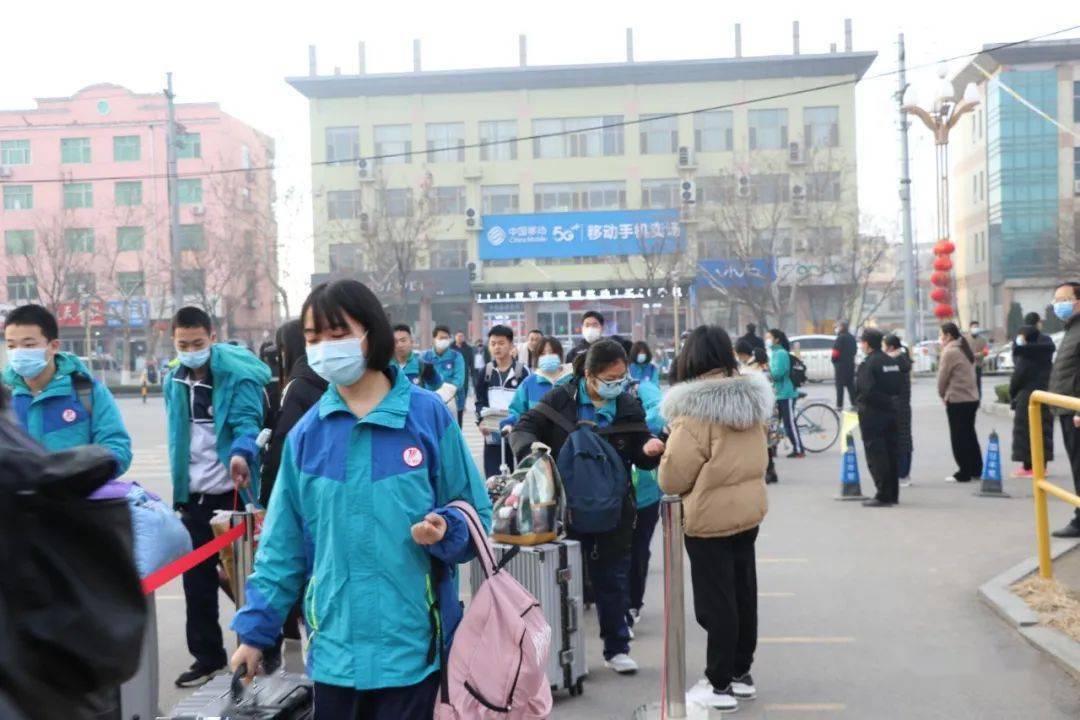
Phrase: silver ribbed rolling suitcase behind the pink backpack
(552, 573)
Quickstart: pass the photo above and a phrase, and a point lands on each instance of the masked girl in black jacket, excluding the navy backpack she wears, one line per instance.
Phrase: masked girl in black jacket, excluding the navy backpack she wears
(597, 396)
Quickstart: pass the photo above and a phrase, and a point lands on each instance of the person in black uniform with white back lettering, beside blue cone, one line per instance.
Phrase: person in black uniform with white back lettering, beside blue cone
(879, 386)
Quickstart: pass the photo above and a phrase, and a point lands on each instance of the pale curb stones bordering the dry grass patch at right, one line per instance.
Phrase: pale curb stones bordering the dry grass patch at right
(997, 593)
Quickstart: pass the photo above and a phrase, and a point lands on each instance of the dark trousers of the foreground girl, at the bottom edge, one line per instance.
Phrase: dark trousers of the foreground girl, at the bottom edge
(410, 703)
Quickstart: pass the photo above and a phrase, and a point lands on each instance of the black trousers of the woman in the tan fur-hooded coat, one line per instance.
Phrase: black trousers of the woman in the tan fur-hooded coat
(724, 573)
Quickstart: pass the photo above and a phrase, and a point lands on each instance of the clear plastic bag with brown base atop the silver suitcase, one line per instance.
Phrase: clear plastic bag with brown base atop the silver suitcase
(530, 505)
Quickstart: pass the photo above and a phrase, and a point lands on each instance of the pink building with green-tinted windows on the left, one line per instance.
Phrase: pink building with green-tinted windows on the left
(85, 220)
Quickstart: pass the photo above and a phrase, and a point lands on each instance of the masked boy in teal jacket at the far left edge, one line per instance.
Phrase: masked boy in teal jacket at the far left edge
(55, 397)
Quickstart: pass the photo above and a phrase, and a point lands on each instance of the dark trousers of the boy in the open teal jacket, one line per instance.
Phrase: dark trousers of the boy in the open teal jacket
(201, 582)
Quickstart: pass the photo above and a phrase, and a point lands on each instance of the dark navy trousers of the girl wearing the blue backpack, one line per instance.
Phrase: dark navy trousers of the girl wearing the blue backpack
(611, 577)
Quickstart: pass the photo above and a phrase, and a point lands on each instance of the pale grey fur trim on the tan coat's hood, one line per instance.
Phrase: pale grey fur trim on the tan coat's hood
(741, 402)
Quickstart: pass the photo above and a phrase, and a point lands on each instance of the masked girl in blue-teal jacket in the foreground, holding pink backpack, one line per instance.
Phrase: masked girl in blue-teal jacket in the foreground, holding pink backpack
(366, 479)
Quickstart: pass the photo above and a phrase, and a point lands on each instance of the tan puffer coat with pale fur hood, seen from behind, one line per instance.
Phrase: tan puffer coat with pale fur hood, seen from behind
(717, 454)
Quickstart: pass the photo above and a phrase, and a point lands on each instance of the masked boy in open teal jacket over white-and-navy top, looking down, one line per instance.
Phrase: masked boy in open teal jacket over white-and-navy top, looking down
(214, 407)
